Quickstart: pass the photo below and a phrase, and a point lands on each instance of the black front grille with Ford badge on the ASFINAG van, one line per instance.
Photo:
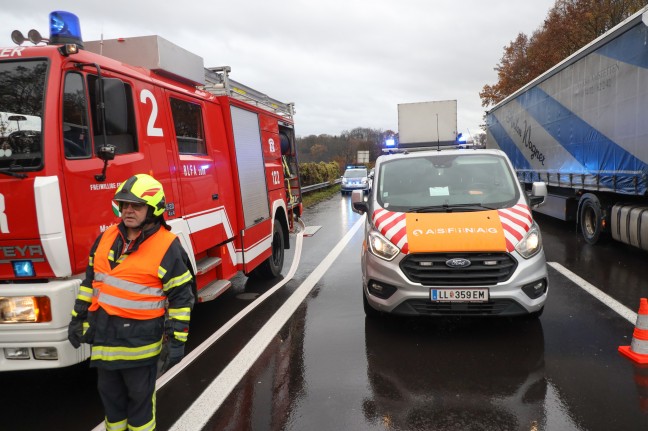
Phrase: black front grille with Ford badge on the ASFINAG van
(485, 269)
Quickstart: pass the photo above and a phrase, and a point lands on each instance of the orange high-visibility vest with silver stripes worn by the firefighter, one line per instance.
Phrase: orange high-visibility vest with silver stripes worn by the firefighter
(133, 289)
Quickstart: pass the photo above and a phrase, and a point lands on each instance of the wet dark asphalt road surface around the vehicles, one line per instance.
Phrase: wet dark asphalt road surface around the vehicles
(330, 368)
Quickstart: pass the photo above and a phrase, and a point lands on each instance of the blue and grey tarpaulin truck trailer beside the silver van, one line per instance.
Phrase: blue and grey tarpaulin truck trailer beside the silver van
(582, 128)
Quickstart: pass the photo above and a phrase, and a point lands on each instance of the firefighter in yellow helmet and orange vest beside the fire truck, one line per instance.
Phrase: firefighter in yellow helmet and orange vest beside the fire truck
(137, 293)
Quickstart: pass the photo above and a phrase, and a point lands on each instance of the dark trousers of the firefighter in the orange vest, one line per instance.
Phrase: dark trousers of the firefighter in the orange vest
(128, 396)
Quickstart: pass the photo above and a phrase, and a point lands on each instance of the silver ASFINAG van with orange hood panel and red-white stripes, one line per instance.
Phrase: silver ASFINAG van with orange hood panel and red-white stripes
(450, 232)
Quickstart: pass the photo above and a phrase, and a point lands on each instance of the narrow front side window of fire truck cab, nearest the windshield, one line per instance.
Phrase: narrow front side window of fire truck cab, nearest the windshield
(76, 131)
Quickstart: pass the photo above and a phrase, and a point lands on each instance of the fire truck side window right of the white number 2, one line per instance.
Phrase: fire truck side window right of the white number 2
(187, 121)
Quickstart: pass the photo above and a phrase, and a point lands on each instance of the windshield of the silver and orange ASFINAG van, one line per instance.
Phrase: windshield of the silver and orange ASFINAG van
(442, 182)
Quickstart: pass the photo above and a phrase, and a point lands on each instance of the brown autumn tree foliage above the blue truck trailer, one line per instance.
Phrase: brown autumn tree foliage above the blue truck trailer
(569, 25)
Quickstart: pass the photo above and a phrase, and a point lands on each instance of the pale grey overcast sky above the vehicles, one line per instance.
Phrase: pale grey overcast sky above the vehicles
(344, 63)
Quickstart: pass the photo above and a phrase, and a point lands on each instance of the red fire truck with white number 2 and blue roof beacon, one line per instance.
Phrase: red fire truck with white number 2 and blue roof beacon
(76, 119)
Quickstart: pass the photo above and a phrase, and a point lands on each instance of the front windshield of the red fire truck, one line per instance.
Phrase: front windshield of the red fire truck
(22, 93)
